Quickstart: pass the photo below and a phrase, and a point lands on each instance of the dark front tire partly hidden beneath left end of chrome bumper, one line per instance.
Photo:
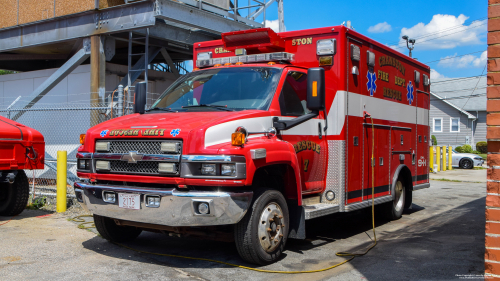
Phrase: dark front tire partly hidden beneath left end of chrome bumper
(110, 231)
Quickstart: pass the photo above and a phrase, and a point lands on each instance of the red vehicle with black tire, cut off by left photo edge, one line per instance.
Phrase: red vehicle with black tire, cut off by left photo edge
(21, 148)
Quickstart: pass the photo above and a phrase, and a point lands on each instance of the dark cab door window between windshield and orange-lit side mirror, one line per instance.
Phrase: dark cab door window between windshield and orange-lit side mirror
(294, 95)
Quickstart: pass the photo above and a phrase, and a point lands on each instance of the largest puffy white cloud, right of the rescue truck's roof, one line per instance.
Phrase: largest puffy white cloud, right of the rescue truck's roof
(445, 32)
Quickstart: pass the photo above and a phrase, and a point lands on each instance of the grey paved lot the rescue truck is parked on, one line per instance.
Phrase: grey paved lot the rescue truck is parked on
(440, 238)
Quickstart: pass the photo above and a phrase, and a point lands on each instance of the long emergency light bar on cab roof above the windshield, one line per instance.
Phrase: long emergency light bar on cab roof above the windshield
(280, 56)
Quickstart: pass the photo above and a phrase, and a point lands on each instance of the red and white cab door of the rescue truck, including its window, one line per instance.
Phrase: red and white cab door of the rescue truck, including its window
(307, 138)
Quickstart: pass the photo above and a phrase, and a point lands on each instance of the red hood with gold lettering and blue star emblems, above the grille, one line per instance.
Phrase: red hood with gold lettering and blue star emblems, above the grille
(189, 126)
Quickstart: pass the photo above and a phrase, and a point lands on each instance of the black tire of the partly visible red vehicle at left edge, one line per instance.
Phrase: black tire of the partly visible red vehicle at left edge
(14, 196)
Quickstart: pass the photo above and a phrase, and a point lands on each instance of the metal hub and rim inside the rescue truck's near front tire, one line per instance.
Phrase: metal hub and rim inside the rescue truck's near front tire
(271, 224)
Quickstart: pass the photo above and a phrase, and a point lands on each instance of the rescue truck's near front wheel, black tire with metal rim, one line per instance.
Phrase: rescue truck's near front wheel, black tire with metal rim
(262, 233)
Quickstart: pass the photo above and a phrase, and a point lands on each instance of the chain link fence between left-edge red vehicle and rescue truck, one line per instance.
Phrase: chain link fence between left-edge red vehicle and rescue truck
(61, 125)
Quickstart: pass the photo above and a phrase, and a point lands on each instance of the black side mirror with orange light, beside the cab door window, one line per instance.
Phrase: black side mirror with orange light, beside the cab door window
(316, 89)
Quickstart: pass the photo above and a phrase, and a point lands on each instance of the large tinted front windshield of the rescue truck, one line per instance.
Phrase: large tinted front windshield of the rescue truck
(235, 88)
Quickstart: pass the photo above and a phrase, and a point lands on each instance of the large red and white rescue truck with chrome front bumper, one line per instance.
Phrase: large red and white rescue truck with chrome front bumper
(269, 130)
